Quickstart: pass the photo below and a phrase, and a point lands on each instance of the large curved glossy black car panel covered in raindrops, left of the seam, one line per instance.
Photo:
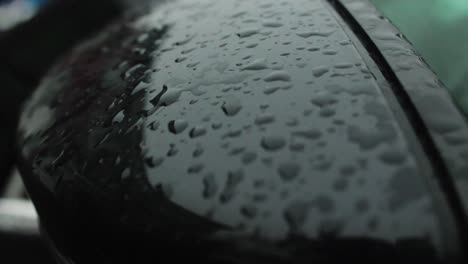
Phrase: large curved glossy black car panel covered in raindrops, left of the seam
(231, 132)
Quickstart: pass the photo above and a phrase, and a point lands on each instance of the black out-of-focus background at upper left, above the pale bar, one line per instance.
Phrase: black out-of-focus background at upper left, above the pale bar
(29, 49)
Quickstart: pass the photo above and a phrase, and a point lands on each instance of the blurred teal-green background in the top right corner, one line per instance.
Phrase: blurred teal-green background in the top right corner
(439, 31)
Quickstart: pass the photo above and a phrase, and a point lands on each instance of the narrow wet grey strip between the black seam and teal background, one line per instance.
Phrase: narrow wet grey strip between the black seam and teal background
(446, 124)
